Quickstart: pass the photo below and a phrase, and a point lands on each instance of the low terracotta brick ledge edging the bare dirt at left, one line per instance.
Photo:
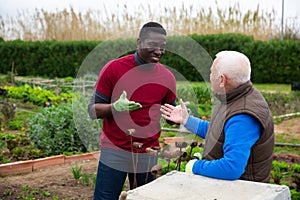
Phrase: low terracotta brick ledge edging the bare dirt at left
(28, 166)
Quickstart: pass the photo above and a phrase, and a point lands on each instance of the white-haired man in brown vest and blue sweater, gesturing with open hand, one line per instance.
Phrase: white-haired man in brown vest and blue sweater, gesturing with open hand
(239, 139)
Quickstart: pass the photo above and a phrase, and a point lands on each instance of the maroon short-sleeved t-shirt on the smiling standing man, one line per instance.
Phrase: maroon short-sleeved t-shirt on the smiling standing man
(151, 87)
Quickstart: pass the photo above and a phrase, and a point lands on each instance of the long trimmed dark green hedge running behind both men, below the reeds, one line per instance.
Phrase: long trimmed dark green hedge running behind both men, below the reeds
(272, 61)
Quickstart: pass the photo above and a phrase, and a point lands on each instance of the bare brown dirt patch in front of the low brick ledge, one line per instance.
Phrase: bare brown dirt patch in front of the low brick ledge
(50, 182)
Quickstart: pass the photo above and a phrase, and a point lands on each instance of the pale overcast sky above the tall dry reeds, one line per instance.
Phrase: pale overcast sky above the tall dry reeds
(12, 7)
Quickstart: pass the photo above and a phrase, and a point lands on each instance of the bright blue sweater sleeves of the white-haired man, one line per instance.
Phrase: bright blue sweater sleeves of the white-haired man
(241, 132)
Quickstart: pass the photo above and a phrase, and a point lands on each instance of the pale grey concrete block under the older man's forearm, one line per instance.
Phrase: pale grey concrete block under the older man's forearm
(183, 186)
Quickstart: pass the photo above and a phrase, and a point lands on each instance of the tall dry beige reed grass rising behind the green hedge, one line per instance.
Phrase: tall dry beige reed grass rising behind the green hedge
(68, 25)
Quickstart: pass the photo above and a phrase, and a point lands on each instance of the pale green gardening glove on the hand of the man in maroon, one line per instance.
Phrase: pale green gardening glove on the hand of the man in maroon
(123, 104)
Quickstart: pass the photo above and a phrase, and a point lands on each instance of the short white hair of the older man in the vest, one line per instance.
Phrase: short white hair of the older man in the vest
(234, 65)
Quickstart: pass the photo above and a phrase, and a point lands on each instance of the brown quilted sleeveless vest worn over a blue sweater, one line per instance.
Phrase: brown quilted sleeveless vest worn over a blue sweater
(247, 100)
